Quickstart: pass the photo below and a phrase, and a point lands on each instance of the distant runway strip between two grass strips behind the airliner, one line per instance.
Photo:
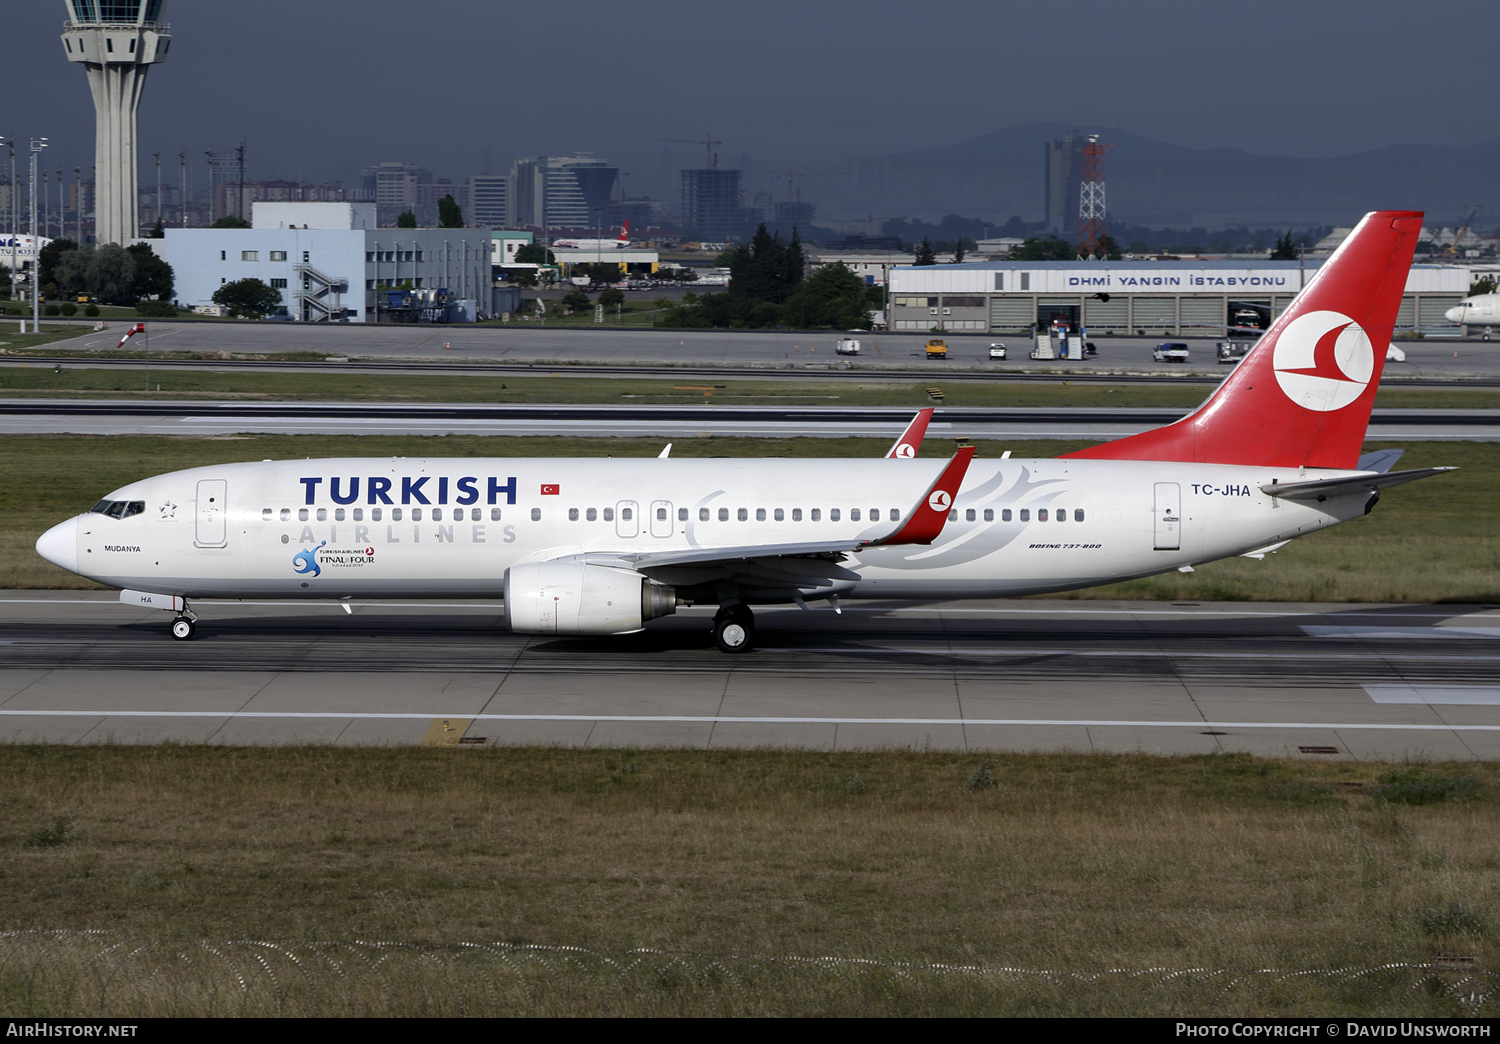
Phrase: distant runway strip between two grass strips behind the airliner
(217, 418)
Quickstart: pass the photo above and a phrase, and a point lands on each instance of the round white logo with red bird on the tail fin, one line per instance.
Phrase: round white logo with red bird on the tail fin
(1324, 361)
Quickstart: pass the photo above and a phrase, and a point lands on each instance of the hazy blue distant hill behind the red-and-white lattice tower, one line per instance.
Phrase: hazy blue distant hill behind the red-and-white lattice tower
(1159, 184)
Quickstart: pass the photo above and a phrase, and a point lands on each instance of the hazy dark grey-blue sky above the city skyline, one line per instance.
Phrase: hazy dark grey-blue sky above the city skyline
(323, 88)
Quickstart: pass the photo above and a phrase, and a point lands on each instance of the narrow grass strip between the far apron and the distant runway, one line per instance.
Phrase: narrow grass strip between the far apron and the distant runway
(83, 382)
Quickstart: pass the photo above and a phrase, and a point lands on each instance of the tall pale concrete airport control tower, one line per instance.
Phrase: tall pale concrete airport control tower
(116, 41)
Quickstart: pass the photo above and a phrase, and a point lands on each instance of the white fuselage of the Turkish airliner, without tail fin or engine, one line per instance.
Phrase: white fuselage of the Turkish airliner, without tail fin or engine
(452, 527)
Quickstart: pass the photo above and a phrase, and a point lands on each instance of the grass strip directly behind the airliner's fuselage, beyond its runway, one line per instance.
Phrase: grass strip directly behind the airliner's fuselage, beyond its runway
(1432, 541)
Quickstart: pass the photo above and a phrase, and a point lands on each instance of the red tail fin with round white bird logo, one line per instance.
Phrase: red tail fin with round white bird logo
(1303, 397)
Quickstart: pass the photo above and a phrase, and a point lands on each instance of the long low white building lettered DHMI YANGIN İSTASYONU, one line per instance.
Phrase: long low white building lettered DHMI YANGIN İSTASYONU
(1132, 298)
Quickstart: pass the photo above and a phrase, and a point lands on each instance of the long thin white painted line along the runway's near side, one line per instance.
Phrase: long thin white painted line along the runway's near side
(724, 719)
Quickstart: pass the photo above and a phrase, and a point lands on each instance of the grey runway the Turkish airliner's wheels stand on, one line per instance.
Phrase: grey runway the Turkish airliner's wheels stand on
(1301, 680)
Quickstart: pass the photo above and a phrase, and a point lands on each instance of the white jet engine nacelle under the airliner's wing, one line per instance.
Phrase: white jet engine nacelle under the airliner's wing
(574, 598)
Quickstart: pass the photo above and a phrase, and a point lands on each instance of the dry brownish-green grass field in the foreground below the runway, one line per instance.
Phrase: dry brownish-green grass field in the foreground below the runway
(1069, 863)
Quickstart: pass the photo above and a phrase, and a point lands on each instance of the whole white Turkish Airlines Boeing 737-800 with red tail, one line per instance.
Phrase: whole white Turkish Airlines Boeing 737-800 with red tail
(587, 547)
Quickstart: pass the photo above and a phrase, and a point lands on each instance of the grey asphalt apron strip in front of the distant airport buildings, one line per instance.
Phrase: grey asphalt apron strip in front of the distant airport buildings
(710, 350)
